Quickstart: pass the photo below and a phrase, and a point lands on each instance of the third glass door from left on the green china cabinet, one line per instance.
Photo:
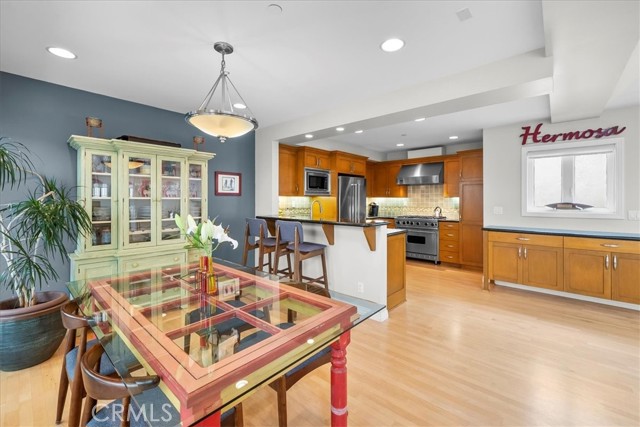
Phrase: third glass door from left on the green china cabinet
(170, 171)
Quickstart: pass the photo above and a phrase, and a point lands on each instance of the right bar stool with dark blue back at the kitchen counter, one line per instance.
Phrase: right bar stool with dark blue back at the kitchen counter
(291, 231)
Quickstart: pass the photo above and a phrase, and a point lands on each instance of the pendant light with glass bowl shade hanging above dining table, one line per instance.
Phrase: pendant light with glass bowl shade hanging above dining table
(228, 116)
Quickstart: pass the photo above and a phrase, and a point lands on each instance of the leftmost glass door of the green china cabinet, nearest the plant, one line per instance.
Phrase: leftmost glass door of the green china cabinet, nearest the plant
(101, 193)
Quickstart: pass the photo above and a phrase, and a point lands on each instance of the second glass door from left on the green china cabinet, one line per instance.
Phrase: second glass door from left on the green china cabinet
(140, 209)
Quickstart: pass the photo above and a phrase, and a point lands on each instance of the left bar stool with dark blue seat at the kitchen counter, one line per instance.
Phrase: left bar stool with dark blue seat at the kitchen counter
(256, 236)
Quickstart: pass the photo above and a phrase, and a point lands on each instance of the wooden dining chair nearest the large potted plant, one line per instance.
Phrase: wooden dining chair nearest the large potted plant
(70, 374)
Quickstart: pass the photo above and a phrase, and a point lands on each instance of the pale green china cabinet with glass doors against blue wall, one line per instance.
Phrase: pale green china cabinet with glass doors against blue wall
(132, 191)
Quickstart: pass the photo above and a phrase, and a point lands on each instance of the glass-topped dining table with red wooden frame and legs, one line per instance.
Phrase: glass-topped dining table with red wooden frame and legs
(211, 350)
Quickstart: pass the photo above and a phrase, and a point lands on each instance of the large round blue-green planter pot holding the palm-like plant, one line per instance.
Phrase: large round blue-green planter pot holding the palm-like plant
(30, 335)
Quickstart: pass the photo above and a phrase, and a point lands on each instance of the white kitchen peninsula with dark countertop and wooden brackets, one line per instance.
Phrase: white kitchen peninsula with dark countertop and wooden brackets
(356, 254)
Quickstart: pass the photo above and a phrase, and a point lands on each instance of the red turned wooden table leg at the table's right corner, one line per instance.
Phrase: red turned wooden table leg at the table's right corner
(339, 380)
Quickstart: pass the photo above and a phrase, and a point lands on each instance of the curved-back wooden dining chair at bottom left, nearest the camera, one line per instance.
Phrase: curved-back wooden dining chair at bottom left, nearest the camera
(149, 399)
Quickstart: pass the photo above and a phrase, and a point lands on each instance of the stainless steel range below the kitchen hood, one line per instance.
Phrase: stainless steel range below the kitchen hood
(422, 236)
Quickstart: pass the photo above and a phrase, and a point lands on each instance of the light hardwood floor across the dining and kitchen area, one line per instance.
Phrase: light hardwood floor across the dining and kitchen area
(452, 355)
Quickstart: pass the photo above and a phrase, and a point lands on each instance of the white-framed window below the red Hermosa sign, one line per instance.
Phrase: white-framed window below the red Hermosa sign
(575, 180)
